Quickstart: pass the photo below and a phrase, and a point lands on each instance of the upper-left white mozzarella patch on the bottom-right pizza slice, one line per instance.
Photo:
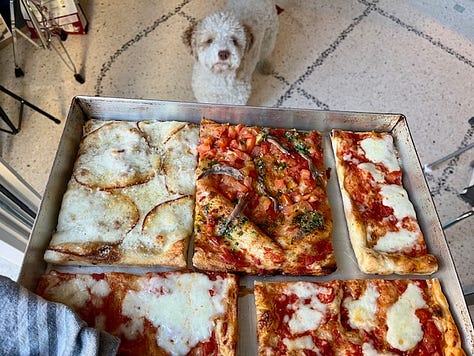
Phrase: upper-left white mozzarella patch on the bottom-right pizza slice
(307, 315)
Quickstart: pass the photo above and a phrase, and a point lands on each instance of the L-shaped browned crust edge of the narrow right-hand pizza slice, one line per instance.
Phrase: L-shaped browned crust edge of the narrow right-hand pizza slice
(371, 261)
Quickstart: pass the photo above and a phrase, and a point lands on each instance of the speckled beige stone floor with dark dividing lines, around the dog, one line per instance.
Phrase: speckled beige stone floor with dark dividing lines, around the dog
(408, 56)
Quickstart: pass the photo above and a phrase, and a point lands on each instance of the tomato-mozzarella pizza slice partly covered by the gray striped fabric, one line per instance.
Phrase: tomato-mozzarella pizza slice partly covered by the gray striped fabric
(167, 313)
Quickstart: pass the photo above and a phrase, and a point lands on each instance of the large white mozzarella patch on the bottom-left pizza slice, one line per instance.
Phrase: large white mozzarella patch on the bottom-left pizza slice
(180, 307)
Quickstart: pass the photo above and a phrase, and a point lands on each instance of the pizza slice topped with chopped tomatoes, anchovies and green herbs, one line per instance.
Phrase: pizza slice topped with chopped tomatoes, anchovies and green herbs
(261, 203)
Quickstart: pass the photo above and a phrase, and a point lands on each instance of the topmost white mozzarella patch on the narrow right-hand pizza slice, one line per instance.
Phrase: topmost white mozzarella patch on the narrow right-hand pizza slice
(381, 150)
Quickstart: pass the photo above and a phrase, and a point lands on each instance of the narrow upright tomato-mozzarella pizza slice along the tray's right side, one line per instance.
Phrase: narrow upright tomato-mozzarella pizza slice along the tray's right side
(382, 222)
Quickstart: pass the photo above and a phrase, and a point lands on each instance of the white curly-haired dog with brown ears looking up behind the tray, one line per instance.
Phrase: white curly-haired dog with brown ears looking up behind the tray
(227, 46)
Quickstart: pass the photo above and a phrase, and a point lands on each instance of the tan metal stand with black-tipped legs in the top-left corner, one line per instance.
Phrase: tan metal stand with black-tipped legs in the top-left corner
(50, 34)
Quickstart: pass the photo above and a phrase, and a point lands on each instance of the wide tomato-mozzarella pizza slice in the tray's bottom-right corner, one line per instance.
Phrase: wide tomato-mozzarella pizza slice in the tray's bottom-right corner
(355, 317)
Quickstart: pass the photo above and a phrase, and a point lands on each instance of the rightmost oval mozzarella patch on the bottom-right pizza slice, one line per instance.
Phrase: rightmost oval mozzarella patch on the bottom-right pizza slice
(404, 327)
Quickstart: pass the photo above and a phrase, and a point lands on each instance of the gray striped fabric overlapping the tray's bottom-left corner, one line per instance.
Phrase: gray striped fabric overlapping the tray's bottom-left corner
(30, 325)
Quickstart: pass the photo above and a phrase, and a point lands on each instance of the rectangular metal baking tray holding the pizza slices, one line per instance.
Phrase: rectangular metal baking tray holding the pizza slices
(84, 108)
